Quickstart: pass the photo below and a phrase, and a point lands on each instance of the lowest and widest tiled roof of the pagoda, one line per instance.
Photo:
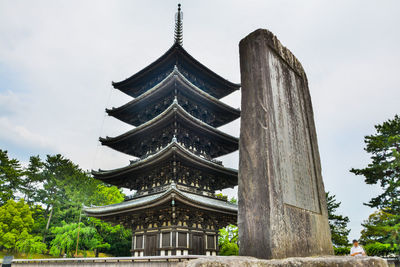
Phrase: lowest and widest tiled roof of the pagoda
(149, 201)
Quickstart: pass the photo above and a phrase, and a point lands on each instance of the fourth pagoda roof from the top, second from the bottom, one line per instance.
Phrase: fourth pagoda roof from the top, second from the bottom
(173, 150)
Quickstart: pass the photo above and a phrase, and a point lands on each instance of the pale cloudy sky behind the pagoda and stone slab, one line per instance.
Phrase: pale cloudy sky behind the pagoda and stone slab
(58, 58)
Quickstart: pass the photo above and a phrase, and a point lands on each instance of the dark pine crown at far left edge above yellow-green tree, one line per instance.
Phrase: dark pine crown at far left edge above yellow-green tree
(10, 177)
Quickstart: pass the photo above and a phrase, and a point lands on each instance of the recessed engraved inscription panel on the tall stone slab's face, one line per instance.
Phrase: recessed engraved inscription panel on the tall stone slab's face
(295, 164)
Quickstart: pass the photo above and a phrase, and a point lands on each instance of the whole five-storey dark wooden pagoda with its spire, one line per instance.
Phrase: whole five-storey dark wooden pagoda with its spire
(176, 111)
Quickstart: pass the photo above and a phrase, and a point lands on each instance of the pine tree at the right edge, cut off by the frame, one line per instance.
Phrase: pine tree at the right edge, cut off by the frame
(384, 170)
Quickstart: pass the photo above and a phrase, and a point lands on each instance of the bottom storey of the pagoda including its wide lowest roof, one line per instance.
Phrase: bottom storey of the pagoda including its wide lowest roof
(171, 222)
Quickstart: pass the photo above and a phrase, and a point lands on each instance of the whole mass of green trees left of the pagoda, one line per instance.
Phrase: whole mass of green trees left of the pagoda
(55, 189)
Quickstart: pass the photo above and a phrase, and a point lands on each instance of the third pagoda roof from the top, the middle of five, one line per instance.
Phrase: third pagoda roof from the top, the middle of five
(130, 141)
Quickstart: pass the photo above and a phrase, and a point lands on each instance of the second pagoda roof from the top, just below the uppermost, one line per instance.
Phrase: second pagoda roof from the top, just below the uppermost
(130, 111)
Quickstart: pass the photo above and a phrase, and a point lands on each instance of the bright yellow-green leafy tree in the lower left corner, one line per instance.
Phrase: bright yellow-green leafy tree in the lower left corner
(16, 223)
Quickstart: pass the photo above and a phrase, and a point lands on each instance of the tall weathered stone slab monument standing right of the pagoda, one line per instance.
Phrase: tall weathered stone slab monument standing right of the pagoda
(282, 206)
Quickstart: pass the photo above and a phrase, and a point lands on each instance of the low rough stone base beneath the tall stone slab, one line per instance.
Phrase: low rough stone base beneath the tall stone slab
(326, 261)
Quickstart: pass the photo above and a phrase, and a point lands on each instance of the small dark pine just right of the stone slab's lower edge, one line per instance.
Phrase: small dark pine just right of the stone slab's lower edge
(337, 223)
